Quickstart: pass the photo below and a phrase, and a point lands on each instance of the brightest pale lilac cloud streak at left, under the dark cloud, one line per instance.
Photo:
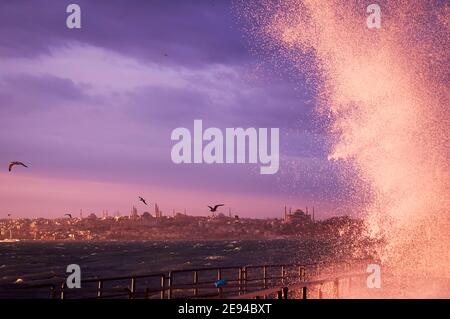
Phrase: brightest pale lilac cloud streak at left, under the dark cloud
(99, 71)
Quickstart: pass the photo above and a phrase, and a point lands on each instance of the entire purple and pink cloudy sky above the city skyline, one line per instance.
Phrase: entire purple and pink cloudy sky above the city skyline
(91, 112)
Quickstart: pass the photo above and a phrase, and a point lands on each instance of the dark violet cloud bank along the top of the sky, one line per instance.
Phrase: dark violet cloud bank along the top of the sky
(189, 33)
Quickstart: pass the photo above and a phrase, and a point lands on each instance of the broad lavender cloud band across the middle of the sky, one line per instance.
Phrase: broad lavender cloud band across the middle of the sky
(89, 112)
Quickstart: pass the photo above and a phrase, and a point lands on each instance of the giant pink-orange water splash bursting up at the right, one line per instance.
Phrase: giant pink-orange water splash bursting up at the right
(386, 92)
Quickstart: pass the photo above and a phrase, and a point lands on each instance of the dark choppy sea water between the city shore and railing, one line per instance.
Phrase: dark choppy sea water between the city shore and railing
(24, 263)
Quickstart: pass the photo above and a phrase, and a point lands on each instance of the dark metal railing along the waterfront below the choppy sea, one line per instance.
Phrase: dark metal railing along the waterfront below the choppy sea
(260, 281)
